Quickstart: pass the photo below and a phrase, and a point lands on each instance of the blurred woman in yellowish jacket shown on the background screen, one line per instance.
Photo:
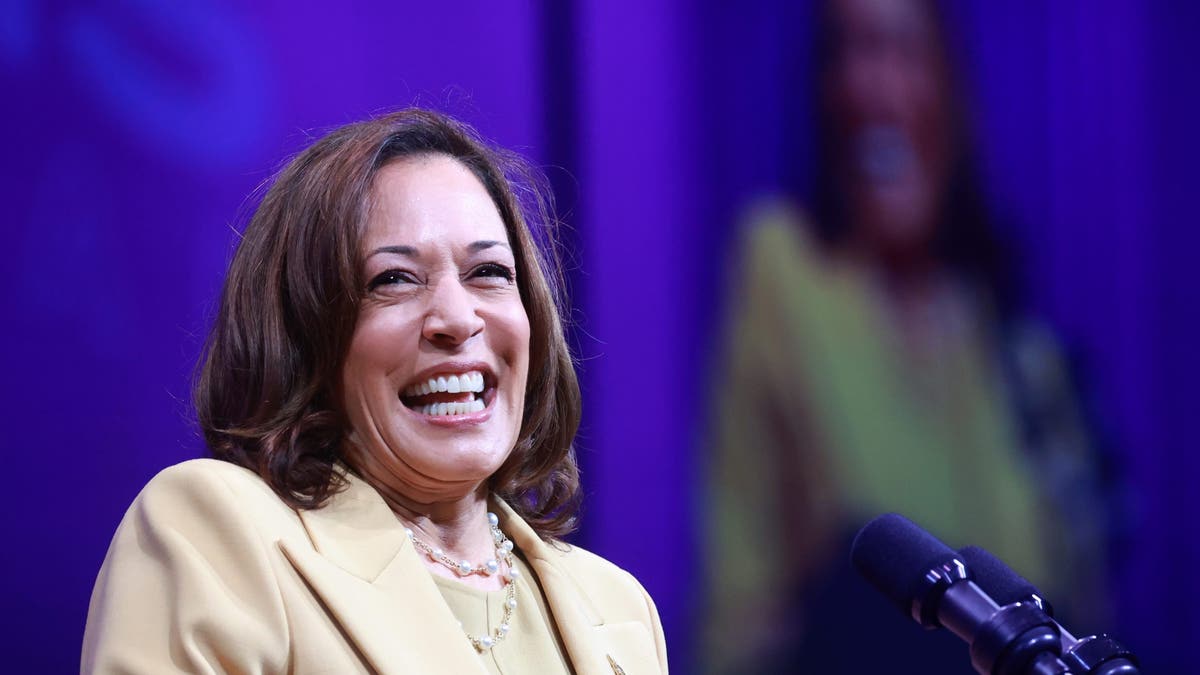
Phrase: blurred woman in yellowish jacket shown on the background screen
(879, 360)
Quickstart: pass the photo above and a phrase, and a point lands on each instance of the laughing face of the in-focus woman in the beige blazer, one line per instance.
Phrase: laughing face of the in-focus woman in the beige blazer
(435, 379)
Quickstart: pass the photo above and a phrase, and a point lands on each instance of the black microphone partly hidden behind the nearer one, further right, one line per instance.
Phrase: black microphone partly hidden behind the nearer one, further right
(1100, 655)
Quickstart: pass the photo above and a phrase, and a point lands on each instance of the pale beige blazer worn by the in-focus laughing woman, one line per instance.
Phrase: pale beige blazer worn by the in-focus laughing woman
(211, 572)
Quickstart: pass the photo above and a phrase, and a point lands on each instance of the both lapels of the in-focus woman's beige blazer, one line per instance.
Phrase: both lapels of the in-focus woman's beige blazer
(370, 576)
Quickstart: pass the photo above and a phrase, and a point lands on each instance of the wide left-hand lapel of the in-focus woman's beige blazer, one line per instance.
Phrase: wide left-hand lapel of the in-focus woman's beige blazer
(367, 572)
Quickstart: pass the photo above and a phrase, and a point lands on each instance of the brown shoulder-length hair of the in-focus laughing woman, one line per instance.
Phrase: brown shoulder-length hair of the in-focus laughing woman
(268, 389)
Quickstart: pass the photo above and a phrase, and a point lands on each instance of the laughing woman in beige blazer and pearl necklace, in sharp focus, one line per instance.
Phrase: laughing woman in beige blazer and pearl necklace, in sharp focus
(388, 386)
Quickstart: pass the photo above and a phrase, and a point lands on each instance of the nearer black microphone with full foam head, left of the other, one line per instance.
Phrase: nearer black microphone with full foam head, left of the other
(933, 584)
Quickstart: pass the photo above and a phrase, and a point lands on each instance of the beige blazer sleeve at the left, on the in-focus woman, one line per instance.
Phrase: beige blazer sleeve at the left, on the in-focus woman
(188, 584)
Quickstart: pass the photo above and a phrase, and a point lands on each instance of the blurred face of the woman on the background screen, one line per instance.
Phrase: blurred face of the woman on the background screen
(887, 91)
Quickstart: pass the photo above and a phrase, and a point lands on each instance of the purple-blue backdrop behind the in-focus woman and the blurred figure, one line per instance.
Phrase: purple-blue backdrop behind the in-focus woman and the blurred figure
(134, 136)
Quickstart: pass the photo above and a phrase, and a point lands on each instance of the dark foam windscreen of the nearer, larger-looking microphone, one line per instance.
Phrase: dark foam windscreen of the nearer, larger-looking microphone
(893, 554)
